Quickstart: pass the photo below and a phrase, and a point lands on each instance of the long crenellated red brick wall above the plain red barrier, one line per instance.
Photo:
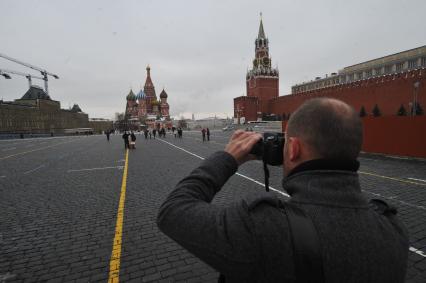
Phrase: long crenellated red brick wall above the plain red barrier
(388, 92)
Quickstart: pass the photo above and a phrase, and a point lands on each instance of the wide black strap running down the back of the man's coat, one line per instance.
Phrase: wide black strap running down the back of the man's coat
(306, 246)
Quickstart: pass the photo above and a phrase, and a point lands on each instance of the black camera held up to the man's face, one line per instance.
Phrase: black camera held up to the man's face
(270, 148)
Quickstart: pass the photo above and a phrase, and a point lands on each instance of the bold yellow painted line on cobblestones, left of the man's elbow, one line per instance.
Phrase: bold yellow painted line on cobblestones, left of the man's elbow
(114, 264)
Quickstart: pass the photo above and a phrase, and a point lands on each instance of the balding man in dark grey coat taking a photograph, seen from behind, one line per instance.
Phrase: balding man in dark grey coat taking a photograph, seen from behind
(253, 240)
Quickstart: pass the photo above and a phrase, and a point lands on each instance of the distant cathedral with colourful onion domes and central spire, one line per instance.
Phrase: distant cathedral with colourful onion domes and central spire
(144, 109)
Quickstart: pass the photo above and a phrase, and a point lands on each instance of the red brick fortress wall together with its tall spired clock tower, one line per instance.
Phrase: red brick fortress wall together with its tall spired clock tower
(393, 84)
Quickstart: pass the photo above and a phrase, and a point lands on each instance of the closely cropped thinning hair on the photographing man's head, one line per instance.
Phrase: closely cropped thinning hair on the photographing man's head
(330, 127)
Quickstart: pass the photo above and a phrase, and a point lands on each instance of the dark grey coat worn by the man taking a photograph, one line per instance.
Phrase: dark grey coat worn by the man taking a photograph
(249, 241)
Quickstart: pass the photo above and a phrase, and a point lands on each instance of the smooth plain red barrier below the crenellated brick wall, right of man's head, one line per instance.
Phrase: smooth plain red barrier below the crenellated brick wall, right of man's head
(394, 135)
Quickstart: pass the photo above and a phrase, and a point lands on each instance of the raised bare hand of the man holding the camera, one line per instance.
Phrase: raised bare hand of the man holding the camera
(240, 145)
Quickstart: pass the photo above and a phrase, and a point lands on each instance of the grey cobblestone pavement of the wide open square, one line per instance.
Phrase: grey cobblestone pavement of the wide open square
(59, 199)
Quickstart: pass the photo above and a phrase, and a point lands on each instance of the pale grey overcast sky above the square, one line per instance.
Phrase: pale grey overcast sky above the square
(198, 50)
